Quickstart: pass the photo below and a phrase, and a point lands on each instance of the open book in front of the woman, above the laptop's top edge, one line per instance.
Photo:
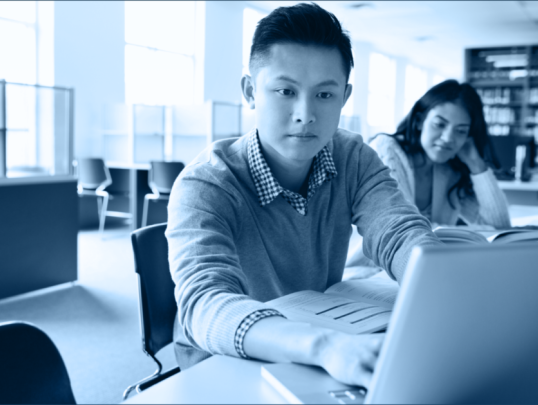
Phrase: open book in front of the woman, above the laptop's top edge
(462, 234)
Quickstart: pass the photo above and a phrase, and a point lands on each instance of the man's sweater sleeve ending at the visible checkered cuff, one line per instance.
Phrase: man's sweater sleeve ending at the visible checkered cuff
(211, 288)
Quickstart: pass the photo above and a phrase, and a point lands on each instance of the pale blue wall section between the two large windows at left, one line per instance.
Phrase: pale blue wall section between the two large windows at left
(89, 56)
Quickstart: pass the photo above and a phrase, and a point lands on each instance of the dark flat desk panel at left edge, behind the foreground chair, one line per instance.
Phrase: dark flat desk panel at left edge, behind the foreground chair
(38, 237)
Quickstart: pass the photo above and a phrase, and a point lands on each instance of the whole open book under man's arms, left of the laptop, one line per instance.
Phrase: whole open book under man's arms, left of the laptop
(352, 306)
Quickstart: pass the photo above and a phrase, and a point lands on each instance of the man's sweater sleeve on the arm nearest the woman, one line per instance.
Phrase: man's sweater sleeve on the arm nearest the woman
(391, 226)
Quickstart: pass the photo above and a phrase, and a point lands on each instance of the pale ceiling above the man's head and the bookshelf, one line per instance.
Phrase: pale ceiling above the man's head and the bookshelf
(433, 34)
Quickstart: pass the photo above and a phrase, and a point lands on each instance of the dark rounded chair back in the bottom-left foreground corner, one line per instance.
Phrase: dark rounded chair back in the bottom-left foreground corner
(31, 367)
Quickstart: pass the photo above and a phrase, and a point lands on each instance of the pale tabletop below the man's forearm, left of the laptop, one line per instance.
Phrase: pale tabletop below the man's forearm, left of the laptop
(217, 380)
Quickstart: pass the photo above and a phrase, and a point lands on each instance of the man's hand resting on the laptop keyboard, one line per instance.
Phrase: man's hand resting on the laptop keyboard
(351, 358)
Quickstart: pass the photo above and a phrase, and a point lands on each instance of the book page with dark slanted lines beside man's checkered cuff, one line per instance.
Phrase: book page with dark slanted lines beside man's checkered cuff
(332, 312)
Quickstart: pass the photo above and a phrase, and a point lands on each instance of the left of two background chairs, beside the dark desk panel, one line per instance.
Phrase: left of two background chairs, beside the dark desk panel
(93, 178)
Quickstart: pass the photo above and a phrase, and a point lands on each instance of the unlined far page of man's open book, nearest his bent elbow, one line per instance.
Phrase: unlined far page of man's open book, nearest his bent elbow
(381, 291)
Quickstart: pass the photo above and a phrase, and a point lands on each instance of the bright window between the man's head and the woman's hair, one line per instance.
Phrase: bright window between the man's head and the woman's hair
(381, 91)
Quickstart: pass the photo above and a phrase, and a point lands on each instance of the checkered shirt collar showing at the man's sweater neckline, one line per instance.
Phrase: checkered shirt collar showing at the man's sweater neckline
(268, 187)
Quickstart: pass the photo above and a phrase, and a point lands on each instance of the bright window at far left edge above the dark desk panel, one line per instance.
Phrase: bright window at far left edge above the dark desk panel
(26, 49)
